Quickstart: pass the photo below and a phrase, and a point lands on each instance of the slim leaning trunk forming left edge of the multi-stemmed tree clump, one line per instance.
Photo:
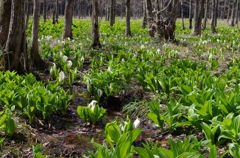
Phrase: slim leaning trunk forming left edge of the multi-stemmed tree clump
(150, 18)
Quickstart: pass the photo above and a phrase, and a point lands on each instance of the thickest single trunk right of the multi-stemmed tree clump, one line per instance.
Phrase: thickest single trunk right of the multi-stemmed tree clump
(198, 12)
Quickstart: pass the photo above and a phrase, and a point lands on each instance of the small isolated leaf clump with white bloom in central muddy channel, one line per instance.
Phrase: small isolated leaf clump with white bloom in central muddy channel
(93, 113)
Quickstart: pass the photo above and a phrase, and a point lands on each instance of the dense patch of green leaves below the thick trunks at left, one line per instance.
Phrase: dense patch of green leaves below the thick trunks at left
(30, 97)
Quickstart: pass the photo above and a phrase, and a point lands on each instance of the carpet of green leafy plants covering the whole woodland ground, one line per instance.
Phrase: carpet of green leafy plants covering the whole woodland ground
(177, 99)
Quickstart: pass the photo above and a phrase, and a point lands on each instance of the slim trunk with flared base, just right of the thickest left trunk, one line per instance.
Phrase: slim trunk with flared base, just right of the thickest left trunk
(35, 57)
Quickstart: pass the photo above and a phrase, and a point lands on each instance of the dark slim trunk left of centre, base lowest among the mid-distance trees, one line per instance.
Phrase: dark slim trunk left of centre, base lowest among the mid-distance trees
(95, 31)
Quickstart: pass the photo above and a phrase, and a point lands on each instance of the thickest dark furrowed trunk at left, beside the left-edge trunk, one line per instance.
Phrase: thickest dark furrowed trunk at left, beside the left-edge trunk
(16, 58)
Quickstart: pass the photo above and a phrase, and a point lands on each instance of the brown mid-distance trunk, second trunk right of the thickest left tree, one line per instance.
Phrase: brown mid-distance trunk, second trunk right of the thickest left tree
(67, 31)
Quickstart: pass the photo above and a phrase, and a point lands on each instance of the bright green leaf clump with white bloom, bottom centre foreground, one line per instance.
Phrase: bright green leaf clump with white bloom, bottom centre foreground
(120, 137)
